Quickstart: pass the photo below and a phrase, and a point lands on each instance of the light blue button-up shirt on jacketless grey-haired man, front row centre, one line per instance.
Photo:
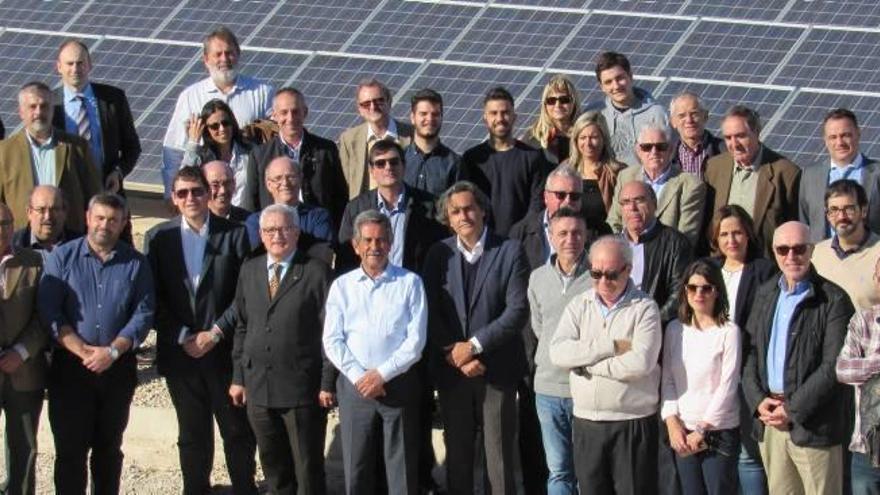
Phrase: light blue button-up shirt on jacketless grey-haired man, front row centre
(375, 324)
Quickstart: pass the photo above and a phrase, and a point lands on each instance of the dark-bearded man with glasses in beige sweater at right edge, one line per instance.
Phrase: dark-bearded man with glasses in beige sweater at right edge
(844, 258)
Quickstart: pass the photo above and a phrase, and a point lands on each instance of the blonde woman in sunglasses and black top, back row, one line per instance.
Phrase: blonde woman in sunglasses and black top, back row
(550, 131)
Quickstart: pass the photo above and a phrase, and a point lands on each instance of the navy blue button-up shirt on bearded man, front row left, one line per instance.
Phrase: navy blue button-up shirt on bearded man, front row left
(100, 300)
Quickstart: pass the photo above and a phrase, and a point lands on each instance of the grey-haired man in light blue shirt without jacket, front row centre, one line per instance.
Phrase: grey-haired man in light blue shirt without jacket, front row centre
(374, 332)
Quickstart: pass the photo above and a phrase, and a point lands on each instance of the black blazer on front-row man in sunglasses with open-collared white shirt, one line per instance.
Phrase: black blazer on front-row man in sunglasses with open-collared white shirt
(178, 306)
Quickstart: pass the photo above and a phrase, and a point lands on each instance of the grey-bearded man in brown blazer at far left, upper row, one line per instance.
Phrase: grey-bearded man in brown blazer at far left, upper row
(39, 155)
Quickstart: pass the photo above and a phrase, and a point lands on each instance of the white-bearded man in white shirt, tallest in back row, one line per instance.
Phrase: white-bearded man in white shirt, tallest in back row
(249, 98)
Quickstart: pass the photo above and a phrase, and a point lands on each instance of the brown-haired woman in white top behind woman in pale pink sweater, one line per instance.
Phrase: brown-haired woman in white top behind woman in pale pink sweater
(739, 256)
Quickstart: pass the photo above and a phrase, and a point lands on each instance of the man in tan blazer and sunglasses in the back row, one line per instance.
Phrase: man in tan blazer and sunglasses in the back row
(373, 100)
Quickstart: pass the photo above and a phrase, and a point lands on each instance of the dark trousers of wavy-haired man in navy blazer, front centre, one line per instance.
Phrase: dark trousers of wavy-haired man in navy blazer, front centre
(466, 405)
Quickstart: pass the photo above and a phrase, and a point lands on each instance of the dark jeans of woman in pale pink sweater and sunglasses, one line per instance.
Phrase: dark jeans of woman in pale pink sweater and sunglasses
(712, 471)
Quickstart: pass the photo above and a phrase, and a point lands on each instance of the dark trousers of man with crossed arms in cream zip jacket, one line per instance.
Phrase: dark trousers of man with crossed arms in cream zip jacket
(616, 457)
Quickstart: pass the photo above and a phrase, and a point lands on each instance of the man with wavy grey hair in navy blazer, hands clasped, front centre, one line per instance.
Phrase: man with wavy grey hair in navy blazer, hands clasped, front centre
(476, 287)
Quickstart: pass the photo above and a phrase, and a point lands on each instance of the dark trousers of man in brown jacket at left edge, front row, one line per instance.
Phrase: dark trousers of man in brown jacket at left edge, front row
(22, 411)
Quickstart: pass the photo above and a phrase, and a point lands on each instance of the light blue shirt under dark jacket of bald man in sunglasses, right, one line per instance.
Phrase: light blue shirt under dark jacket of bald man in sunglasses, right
(786, 306)
